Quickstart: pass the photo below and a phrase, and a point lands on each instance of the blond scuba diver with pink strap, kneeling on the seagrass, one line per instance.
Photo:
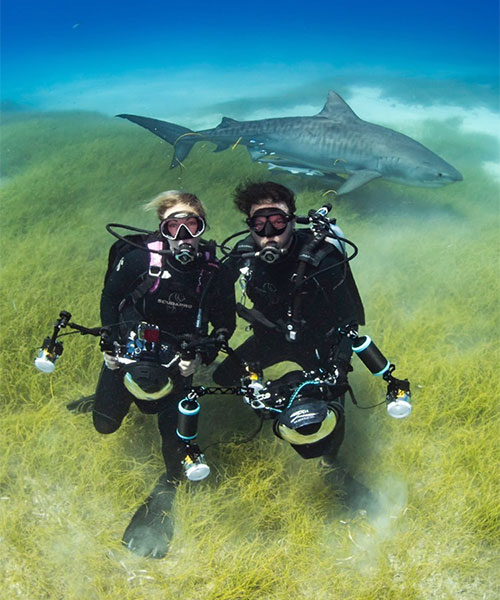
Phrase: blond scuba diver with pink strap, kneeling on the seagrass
(189, 290)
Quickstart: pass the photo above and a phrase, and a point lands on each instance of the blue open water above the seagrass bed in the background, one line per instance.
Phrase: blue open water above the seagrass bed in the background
(190, 59)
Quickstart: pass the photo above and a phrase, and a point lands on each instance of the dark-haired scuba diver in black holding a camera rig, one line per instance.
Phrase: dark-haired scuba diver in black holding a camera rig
(304, 296)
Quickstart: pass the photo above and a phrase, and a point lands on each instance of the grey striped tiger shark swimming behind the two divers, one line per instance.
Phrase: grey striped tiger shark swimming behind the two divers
(335, 142)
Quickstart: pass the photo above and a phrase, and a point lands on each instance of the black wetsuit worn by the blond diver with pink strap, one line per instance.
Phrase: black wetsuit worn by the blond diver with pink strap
(173, 307)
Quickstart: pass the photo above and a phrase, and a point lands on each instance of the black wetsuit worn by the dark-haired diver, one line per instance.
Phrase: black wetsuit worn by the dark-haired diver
(327, 301)
